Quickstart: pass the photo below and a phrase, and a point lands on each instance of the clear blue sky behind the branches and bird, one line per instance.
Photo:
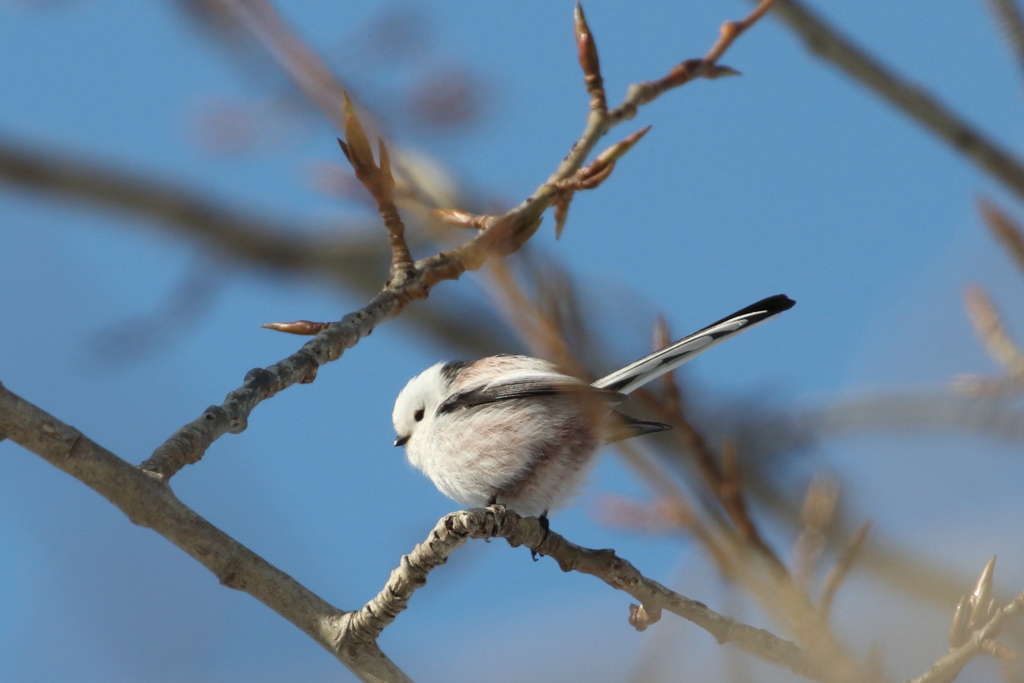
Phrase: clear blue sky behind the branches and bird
(788, 180)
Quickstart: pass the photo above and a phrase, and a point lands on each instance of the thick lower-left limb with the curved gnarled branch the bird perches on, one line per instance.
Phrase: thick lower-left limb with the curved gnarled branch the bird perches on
(352, 636)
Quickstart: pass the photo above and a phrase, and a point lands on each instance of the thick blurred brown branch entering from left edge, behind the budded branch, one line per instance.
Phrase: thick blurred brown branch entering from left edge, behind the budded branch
(352, 260)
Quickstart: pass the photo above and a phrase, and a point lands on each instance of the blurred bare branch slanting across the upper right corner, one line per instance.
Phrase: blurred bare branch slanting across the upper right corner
(828, 44)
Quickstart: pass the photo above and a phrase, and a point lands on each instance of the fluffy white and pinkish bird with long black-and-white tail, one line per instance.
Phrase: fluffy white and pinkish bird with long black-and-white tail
(514, 431)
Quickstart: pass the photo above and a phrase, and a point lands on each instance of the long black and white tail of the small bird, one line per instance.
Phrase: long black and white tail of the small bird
(649, 368)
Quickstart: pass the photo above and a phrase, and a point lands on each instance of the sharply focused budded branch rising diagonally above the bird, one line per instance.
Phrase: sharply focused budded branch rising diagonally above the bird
(503, 237)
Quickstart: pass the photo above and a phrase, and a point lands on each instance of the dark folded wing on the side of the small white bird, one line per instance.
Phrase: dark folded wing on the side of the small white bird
(516, 387)
